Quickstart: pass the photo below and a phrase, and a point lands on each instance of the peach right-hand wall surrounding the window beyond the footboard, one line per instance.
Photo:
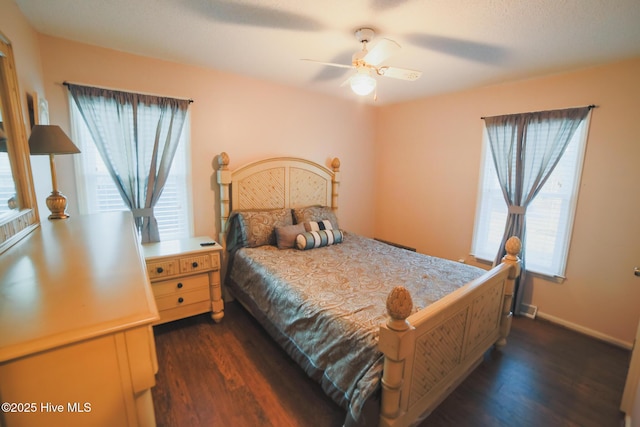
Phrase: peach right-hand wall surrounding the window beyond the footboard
(428, 160)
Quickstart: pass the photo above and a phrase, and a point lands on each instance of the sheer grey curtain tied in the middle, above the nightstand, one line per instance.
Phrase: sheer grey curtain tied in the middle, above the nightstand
(136, 136)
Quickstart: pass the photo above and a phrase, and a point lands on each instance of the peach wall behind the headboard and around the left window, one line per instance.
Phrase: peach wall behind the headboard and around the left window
(247, 118)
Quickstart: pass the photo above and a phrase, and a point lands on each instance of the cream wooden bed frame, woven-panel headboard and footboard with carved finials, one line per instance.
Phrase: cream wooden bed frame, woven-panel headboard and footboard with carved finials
(427, 354)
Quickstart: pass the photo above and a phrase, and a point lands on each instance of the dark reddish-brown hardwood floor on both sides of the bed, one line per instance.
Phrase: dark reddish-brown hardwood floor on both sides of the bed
(232, 374)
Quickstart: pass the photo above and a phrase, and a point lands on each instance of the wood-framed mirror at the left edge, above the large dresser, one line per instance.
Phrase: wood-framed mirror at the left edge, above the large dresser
(18, 209)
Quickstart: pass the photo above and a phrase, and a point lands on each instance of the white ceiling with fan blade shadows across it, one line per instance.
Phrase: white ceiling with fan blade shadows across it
(457, 44)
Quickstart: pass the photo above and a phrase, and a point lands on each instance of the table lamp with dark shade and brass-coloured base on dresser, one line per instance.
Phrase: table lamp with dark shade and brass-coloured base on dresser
(51, 140)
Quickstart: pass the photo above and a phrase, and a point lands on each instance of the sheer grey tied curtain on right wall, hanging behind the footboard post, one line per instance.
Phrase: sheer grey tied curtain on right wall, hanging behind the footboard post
(525, 149)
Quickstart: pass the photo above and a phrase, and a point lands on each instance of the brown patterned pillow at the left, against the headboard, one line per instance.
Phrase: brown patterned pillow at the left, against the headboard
(259, 227)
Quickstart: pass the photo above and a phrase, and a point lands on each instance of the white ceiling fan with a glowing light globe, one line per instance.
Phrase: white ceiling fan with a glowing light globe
(367, 64)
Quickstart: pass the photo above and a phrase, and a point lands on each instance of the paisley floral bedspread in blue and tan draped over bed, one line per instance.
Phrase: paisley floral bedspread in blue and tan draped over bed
(325, 305)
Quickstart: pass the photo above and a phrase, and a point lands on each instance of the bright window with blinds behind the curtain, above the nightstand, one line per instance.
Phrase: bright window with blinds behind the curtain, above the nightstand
(98, 193)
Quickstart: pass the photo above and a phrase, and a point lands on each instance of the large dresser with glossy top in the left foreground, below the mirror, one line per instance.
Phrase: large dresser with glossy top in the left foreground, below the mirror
(76, 316)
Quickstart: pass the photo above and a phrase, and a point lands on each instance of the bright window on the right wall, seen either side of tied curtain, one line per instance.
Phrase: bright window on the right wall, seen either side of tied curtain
(549, 217)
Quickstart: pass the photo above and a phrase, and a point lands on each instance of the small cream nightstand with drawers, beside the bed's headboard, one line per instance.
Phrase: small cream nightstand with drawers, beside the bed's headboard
(185, 278)
